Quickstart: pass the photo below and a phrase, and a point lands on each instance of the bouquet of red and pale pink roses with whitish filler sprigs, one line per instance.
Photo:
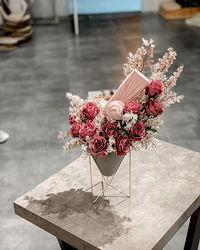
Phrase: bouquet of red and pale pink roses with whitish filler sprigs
(104, 125)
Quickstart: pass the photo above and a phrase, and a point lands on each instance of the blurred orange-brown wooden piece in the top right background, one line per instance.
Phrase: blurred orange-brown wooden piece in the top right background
(172, 10)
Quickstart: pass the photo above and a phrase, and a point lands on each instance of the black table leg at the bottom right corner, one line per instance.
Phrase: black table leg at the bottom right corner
(193, 234)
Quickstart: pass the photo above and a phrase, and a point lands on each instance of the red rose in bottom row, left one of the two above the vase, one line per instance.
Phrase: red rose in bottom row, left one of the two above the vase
(98, 145)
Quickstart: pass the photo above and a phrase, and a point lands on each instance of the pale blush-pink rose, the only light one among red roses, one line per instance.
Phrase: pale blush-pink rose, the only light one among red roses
(114, 110)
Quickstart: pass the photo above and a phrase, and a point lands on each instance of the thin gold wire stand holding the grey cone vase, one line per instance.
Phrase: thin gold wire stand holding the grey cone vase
(106, 182)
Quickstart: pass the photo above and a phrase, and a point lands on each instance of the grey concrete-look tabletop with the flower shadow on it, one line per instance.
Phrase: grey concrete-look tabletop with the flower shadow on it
(166, 192)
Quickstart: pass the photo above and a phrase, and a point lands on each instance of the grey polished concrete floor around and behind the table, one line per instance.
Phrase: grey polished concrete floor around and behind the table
(33, 108)
